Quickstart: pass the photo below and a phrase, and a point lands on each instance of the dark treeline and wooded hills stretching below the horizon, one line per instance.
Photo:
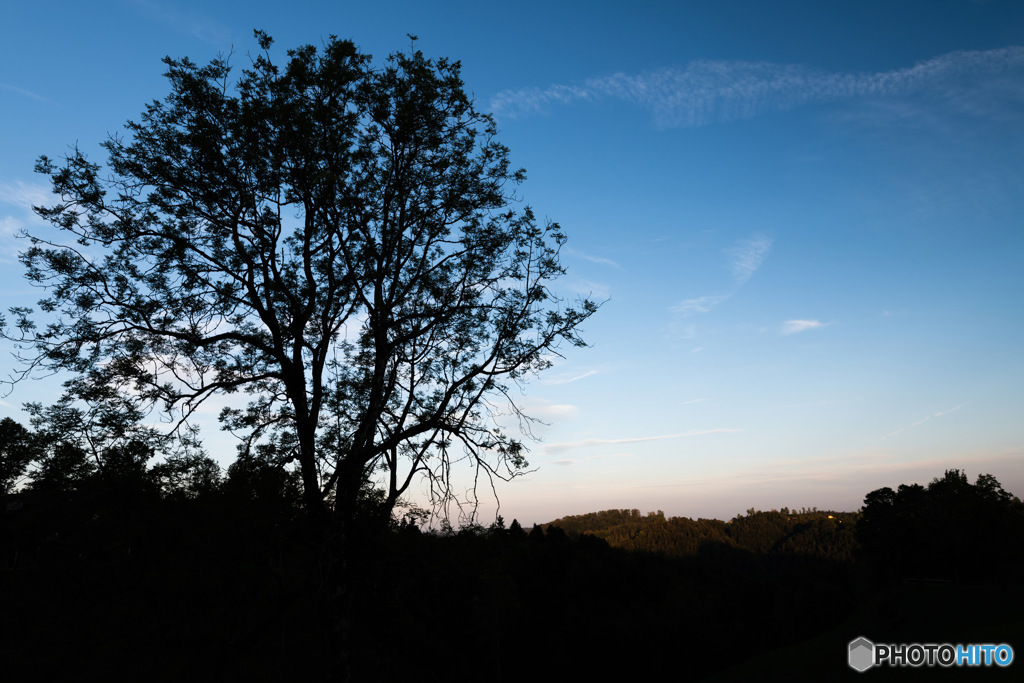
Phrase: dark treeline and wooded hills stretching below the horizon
(170, 571)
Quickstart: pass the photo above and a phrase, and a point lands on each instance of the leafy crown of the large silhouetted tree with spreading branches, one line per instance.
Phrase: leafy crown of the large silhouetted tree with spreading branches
(339, 241)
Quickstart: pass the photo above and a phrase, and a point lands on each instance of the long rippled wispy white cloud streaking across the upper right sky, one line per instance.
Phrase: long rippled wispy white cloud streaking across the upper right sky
(710, 92)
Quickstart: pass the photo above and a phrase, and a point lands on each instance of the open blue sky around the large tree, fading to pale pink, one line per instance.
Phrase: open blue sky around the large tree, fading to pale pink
(806, 220)
